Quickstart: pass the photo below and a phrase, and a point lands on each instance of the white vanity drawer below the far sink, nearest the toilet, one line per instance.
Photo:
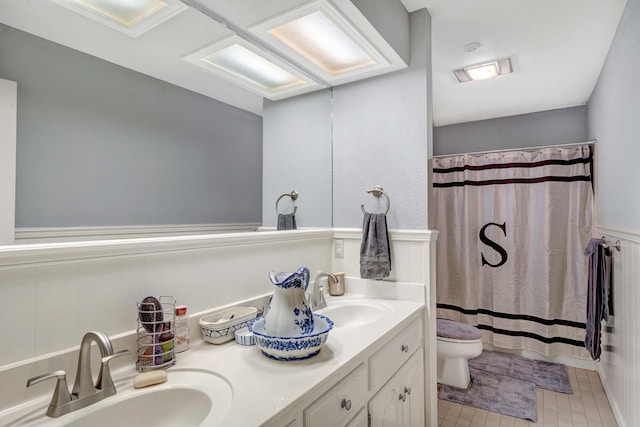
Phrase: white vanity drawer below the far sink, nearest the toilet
(389, 358)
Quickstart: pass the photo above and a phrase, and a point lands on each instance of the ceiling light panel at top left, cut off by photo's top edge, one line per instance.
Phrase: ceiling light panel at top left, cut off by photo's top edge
(132, 17)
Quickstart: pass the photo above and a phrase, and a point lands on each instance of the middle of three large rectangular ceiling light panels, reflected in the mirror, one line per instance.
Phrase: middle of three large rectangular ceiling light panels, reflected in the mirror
(246, 65)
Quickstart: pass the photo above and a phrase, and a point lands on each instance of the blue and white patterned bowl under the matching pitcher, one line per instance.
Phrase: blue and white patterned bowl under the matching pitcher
(295, 347)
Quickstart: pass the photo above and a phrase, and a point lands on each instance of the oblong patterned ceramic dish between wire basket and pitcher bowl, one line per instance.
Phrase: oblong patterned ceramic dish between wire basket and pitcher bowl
(221, 327)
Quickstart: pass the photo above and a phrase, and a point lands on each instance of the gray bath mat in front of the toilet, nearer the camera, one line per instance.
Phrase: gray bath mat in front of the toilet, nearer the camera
(496, 393)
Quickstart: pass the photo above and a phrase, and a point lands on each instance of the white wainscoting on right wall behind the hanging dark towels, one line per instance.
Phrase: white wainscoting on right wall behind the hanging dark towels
(619, 366)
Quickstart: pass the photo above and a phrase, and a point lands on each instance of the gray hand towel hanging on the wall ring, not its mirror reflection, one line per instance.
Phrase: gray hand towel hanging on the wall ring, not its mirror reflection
(375, 252)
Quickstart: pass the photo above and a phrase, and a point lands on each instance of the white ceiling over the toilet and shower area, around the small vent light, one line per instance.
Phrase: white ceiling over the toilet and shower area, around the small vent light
(557, 49)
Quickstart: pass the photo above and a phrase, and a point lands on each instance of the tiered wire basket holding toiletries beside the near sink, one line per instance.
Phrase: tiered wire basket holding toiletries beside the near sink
(155, 333)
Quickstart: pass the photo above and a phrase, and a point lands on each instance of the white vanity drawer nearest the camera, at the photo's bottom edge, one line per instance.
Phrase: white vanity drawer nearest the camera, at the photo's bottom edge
(340, 403)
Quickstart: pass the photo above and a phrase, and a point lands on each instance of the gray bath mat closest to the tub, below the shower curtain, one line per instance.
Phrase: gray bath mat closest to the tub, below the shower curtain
(550, 376)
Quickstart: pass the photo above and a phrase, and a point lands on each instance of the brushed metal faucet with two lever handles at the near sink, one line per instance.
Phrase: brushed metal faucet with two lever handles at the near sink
(85, 392)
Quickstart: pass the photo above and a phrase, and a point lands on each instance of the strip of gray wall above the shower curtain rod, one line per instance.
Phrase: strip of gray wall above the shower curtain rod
(562, 126)
